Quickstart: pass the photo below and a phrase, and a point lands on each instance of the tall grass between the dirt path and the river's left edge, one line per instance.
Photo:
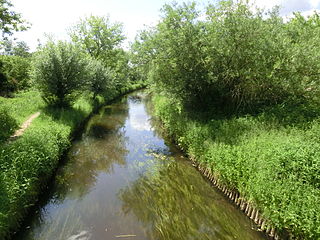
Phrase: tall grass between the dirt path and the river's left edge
(26, 165)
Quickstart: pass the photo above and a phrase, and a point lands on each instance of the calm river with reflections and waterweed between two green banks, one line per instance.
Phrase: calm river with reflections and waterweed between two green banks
(122, 180)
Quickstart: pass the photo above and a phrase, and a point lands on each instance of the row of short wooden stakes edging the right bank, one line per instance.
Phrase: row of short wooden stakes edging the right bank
(252, 212)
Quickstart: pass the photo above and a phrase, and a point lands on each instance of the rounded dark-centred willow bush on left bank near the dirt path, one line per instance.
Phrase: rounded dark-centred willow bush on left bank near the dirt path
(59, 70)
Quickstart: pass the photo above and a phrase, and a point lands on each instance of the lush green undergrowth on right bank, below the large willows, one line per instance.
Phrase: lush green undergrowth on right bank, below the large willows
(273, 158)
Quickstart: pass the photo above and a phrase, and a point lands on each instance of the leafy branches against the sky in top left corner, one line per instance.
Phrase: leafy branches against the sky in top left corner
(10, 21)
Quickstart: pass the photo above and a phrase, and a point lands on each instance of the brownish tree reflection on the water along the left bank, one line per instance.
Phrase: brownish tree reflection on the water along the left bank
(102, 146)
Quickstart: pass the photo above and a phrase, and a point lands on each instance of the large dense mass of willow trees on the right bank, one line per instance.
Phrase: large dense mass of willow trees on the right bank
(232, 57)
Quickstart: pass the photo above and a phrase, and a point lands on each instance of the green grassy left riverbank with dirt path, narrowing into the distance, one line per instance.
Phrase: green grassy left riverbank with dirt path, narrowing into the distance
(27, 163)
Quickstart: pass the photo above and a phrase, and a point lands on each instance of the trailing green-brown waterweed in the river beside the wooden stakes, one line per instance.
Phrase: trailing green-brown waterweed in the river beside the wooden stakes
(173, 202)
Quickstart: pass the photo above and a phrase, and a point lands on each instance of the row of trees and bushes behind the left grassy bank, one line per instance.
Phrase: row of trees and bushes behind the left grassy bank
(92, 61)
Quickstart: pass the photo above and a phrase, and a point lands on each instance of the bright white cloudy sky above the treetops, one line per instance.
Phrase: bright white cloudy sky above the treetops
(55, 17)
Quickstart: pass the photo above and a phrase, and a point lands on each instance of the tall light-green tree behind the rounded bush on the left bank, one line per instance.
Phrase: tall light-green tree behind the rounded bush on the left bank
(101, 39)
